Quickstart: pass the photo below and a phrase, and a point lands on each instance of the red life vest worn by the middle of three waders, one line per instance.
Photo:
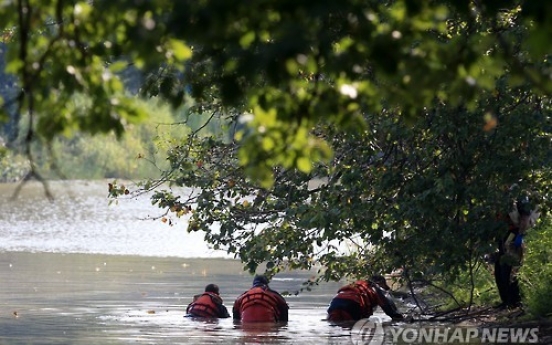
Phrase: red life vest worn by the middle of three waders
(259, 304)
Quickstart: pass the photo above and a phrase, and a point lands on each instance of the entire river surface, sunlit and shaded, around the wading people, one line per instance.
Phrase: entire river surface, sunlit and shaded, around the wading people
(77, 270)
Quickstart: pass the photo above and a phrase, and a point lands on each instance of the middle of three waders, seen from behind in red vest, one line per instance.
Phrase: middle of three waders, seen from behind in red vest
(260, 304)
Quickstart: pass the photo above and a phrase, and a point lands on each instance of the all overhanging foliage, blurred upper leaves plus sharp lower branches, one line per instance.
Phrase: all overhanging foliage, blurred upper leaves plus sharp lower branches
(395, 127)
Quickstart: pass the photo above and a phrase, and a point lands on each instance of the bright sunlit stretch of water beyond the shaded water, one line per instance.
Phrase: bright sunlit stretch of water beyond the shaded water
(80, 220)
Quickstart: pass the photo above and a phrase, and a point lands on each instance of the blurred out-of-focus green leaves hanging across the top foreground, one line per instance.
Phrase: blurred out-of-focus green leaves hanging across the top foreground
(284, 65)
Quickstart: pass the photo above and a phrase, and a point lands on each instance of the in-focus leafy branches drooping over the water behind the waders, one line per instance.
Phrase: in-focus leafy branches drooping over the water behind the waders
(420, 197)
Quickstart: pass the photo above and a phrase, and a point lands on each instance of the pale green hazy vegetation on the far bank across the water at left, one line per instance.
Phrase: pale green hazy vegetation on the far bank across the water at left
(140, 153)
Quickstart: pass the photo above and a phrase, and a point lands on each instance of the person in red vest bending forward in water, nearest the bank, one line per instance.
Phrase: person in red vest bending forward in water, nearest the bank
(359, 300)
